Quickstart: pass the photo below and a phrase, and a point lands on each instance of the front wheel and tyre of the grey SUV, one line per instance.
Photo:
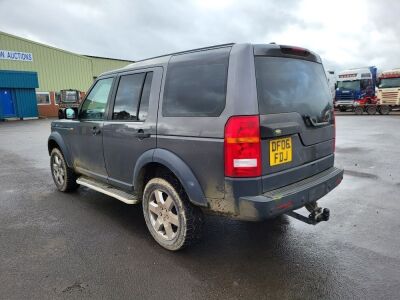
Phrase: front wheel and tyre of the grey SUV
(63, 176)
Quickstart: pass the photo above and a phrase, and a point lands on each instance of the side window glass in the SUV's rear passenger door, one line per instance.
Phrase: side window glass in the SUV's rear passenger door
(132, 99)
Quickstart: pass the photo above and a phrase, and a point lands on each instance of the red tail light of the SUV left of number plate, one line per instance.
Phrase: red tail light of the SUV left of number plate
(242, 147)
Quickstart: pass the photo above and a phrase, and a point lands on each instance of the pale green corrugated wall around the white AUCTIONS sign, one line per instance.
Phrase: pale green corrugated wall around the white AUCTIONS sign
(57, 69)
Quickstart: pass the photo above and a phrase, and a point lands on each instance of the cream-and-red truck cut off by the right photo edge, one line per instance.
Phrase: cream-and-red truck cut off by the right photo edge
(388, 93)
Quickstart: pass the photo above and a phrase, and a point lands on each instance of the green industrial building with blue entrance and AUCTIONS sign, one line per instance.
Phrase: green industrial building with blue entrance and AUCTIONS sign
(32, 75)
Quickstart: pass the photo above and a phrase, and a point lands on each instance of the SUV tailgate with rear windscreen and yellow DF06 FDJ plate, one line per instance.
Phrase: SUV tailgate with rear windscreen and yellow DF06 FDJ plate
(296, 115)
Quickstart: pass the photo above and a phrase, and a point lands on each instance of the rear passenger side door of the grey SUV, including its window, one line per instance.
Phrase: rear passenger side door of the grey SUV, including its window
(130, 129)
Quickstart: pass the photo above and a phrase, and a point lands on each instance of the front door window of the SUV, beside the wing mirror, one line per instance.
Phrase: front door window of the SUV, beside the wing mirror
(95, 103)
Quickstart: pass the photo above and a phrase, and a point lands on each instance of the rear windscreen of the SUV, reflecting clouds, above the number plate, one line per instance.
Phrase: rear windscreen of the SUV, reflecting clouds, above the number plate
(292, 85)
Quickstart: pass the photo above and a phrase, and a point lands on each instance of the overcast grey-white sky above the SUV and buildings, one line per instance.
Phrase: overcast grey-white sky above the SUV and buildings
(349, 33)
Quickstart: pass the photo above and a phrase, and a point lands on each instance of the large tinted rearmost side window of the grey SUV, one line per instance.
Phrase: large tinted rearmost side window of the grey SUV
(196, 84)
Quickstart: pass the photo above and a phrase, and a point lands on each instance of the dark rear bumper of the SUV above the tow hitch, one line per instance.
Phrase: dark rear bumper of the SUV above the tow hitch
(288, 198)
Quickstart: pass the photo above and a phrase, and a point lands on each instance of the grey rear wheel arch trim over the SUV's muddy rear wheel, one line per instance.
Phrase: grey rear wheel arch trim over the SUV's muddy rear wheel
(156, 159)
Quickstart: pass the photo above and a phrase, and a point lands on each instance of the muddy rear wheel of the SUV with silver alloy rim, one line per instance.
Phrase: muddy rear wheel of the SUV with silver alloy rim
(172, 220)
